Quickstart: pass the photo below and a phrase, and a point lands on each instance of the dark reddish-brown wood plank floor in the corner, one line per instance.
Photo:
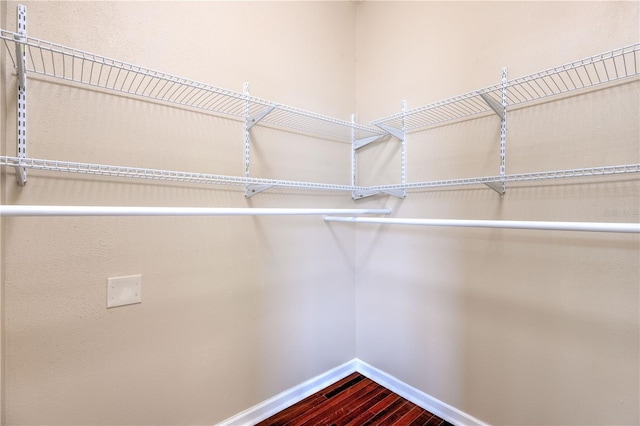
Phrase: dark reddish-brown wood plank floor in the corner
(354, 400)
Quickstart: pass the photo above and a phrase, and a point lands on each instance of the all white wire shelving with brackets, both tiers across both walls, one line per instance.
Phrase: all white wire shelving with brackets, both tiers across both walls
(57, 61)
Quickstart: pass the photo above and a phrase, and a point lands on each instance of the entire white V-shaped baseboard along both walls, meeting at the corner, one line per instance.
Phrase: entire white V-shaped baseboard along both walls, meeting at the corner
(266, 409)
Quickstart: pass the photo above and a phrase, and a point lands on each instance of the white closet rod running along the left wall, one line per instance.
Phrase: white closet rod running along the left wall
(20, 210)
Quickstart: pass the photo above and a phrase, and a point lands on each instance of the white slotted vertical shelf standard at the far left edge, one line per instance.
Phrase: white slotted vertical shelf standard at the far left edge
(21, 59)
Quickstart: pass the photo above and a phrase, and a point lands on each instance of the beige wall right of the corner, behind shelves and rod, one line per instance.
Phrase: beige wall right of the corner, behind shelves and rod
(512, 327)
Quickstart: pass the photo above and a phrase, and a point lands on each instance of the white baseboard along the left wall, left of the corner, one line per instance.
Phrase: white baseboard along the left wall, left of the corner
(285, 399)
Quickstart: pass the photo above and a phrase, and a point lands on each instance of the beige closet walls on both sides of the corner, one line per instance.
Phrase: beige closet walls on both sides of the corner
(513, 327)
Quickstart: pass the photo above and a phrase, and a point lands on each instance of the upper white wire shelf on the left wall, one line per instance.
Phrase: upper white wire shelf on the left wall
(66, 63)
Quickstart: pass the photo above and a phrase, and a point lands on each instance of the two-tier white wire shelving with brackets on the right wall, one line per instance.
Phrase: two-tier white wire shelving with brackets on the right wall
(612, 67)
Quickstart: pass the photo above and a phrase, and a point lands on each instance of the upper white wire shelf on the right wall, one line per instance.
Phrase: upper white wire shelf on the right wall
(603, 68)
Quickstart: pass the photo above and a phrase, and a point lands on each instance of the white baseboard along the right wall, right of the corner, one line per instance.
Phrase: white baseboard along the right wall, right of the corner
(421, 399)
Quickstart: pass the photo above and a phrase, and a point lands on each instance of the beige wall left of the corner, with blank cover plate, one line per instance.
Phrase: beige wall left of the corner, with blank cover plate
(234, 310)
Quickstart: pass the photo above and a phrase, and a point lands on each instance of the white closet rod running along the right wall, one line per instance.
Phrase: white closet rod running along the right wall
(509, 224)
